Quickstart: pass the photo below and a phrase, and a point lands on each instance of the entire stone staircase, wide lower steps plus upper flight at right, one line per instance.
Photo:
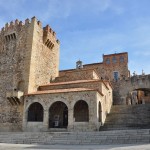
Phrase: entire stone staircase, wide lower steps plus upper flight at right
(124, 125)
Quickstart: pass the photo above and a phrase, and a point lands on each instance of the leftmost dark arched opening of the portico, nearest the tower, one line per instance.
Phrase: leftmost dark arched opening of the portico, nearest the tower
(35, 112)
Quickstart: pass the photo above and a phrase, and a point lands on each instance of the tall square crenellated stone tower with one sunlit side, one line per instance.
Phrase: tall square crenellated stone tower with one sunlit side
(29, 56)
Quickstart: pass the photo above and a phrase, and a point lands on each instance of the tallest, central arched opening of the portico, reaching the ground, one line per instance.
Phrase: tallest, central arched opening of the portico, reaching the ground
(58, 115)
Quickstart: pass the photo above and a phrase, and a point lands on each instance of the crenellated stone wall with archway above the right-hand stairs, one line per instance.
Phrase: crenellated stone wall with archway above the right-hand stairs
(123, 88)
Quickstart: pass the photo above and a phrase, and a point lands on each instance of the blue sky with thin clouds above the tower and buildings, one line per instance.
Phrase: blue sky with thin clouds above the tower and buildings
(87, 29)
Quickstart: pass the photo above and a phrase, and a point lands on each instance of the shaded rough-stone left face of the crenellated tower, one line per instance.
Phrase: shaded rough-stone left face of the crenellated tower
(12, 62)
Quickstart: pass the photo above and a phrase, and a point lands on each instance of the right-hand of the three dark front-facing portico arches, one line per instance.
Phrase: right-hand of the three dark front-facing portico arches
(81, 111)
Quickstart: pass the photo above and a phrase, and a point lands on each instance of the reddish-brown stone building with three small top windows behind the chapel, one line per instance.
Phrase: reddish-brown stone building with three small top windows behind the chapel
(107, 68)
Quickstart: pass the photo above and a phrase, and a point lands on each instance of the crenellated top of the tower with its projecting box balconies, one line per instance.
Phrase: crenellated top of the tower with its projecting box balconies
(49, 36)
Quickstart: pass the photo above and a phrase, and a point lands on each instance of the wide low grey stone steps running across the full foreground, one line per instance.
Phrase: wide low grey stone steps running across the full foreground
(78, 138)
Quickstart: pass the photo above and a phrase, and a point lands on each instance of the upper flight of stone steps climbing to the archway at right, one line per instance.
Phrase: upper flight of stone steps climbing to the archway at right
(125, 117)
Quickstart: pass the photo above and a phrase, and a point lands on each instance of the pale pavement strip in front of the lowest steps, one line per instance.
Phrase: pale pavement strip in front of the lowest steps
(4, 146)
